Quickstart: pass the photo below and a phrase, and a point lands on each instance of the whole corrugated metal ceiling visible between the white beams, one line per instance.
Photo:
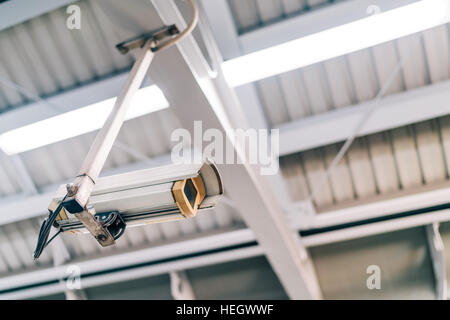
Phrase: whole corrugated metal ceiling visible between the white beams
(48, 60)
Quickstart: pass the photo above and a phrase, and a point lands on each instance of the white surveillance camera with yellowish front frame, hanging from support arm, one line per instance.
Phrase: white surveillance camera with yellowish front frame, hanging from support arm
(155, 195)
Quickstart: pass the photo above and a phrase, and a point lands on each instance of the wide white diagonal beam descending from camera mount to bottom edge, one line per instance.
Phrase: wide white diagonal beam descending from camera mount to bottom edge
(182, 74)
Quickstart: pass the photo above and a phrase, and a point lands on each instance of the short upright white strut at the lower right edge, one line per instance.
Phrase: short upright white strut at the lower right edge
(437, 253)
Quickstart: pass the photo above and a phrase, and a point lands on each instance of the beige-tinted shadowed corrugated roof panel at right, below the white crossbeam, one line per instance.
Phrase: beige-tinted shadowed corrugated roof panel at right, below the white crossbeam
(377, 164)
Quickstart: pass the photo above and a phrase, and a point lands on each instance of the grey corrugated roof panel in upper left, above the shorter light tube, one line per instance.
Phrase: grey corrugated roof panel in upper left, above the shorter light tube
(45, 57)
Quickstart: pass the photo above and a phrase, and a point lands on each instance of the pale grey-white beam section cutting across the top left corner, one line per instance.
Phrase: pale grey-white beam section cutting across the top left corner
(17, 11)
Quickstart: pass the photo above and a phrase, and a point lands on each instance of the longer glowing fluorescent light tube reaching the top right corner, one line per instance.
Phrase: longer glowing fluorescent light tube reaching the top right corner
(338, 41)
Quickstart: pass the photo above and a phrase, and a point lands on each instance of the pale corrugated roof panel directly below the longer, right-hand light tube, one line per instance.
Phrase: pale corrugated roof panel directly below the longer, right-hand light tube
(357, 77)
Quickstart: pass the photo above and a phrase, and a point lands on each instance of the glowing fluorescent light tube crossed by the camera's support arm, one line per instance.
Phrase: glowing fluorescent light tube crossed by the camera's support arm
(78, 122)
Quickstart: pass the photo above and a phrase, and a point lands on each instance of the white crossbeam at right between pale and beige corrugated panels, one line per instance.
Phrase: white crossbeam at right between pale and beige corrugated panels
(393, 111)
